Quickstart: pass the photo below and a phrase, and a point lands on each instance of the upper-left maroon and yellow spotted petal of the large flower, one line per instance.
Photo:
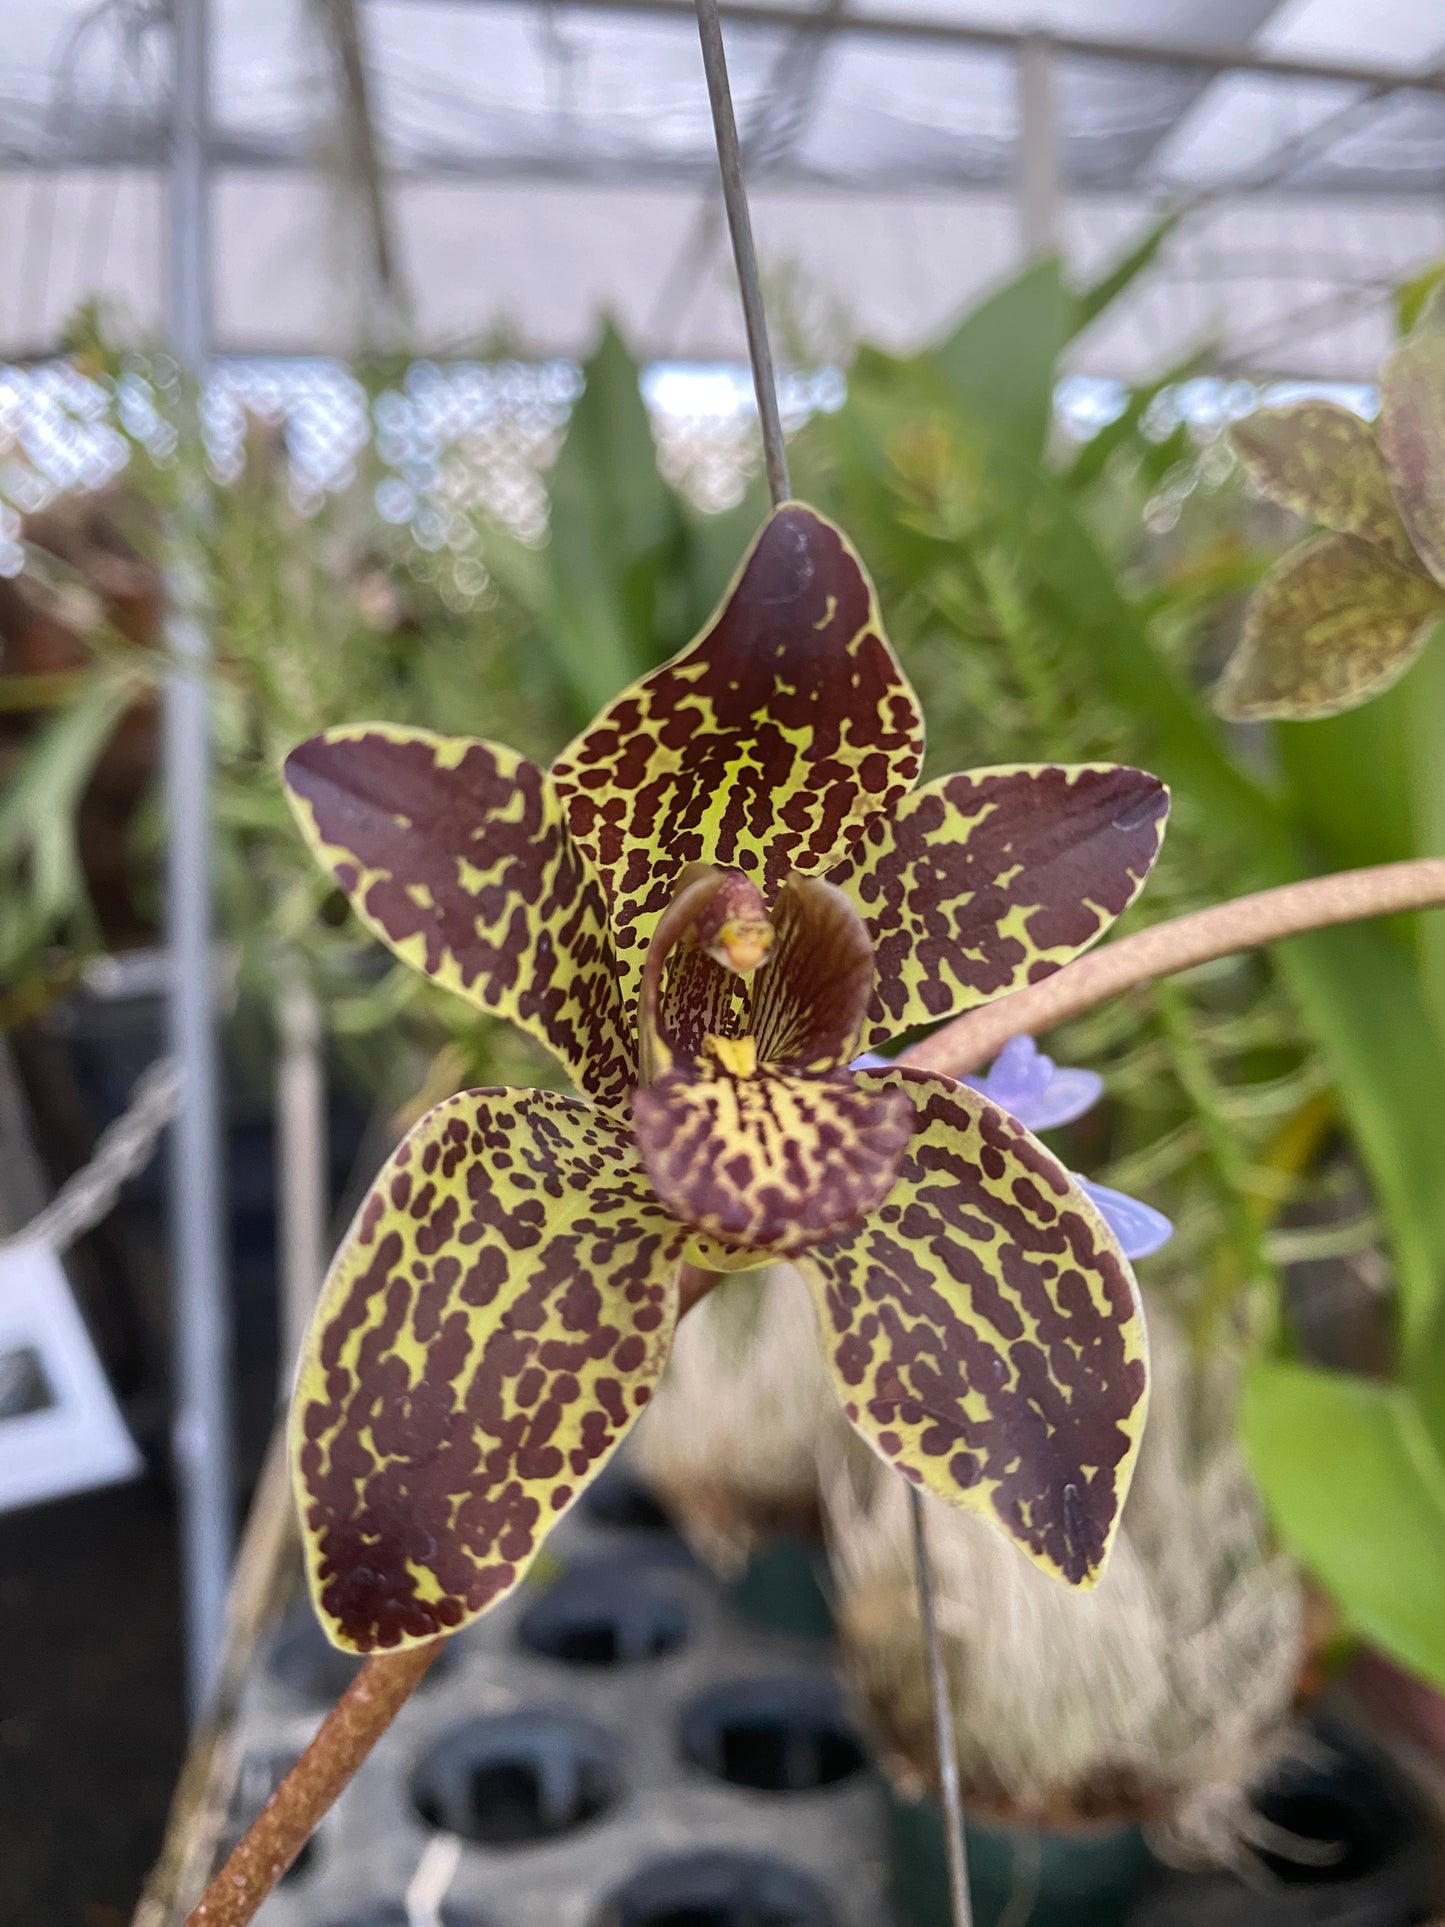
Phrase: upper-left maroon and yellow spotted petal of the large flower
(460, 858)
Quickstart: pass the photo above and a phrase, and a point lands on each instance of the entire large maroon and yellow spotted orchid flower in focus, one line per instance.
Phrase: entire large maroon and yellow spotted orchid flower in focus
(718, 895)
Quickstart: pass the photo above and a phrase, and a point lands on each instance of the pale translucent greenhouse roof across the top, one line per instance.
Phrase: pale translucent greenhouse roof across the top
(467, 174)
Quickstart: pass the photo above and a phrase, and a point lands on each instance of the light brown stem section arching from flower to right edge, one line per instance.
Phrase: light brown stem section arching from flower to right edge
(1167, 949)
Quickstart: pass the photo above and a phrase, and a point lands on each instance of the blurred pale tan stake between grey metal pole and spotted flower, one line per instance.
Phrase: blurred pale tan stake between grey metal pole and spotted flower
(300, 1167)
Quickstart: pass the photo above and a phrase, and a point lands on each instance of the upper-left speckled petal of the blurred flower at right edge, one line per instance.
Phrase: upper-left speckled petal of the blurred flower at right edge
(1325, 463)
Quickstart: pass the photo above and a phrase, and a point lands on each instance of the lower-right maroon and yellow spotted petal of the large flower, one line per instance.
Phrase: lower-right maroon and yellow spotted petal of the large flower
(985, 1331)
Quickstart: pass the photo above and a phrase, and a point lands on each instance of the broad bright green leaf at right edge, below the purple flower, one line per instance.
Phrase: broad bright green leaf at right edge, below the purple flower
(1357, 1489)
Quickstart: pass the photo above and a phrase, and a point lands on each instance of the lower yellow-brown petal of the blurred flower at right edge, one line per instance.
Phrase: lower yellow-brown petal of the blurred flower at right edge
(1332, 625)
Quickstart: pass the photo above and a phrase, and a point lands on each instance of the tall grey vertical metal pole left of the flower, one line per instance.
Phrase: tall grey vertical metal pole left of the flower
(201, 1313)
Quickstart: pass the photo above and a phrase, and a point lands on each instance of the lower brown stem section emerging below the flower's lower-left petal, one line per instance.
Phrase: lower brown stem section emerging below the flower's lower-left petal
(313, 1787)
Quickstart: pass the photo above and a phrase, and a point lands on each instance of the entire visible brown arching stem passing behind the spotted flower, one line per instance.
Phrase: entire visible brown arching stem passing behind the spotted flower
(379, 1693)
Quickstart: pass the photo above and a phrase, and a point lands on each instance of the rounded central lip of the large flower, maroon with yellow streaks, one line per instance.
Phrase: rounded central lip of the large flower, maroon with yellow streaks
(772, 1163)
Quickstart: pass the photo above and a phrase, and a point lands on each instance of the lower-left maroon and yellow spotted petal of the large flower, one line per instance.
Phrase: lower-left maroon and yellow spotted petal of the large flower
(488, 1334)
